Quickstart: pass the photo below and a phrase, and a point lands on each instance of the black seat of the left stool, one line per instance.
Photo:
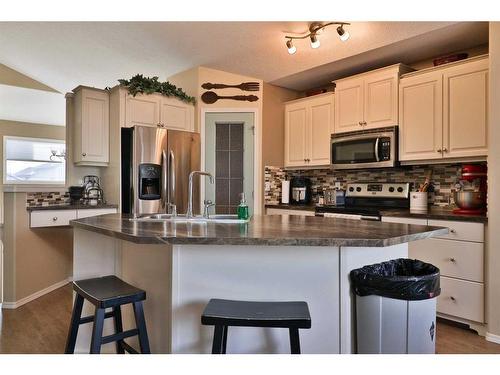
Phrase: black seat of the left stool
(108, 291)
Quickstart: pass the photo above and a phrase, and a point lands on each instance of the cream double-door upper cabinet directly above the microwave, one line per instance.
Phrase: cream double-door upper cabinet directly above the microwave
(368, 100)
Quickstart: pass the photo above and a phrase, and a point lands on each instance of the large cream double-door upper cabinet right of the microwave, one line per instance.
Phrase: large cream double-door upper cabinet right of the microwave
(443, 112)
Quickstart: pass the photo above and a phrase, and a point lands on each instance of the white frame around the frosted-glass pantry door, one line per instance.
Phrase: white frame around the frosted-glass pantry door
(257, 162)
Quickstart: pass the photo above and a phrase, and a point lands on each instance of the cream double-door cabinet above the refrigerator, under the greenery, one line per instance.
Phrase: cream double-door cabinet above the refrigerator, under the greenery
(156, 109)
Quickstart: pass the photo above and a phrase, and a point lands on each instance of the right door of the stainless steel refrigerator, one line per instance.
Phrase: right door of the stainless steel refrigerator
(183, 150)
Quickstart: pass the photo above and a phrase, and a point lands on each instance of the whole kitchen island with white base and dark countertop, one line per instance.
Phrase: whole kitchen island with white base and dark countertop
(279, 258)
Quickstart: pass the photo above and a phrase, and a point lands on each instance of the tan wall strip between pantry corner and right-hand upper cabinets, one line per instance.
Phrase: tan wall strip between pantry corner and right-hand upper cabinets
(273, 123)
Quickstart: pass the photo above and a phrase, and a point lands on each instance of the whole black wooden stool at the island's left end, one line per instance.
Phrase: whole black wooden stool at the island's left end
(108, 292)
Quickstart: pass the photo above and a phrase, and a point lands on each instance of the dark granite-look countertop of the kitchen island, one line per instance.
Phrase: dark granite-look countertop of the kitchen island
(271, 230)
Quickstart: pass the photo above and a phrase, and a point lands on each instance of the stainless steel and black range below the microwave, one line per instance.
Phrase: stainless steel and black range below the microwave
(366, 201)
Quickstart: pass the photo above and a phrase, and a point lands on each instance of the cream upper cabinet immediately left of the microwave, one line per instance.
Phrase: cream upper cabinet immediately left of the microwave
(308, 127)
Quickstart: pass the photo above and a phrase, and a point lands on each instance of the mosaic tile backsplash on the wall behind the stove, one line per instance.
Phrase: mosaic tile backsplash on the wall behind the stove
(443, 180)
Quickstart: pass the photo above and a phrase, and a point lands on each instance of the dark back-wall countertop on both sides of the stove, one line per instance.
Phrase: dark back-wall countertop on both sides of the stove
(434, 213)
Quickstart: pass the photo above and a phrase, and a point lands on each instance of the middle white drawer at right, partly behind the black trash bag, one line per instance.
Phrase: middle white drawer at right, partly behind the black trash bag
(460, 259)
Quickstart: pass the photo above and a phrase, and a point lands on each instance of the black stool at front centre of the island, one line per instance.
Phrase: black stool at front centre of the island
(225, 313)
